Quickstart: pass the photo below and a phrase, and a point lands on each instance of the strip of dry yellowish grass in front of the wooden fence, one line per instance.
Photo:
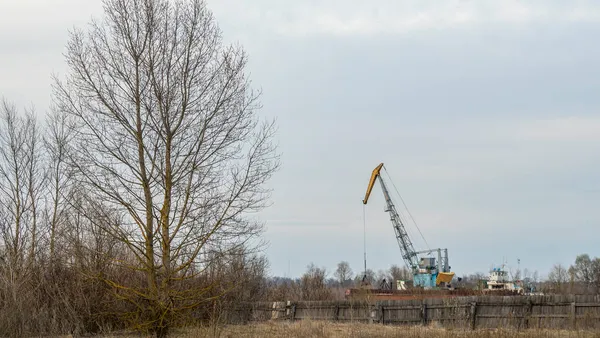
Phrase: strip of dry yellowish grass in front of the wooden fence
(313, 329)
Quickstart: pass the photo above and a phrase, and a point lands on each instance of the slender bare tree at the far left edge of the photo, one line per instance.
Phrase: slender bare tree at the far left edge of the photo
(21, 184)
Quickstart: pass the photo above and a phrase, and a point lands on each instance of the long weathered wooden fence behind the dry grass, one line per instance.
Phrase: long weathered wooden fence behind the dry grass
(474, 312)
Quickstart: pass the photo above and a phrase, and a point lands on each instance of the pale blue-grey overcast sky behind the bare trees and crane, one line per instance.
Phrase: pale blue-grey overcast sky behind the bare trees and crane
(485, 113)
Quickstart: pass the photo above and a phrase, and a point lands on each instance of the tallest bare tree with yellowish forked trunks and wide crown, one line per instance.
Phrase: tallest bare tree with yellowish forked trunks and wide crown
(168, 136)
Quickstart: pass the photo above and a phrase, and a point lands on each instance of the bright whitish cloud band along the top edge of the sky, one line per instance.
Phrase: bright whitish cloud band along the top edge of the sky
(359, 18)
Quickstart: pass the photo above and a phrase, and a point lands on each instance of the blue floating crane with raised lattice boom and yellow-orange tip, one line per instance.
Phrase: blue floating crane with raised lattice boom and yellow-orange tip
(426, 273)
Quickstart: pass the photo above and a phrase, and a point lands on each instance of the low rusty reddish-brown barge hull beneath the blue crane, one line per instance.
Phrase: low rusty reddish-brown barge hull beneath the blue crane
(380, 294)
